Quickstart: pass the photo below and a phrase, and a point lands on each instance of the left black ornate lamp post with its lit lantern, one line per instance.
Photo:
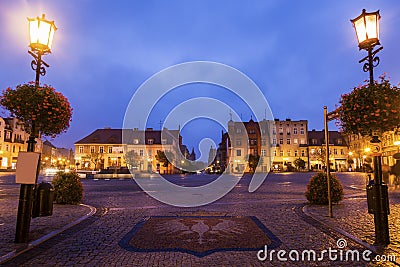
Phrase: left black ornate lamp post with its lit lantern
(41, 32)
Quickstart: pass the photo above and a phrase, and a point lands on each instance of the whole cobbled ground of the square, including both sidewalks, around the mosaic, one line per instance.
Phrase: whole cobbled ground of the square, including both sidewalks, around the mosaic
(279, 205)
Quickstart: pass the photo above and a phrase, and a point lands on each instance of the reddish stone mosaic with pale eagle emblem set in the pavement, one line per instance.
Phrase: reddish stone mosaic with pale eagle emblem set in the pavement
(199, 235)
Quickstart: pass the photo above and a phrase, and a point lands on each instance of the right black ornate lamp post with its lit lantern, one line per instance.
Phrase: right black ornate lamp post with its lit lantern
(367, 29)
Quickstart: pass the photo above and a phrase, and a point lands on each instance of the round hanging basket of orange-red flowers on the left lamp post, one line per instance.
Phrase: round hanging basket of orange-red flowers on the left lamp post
(41, 108)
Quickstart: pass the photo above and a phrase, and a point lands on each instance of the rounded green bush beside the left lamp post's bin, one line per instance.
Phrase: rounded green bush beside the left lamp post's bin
(68, 188)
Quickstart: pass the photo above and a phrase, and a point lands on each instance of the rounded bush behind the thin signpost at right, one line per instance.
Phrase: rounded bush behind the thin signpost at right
(317, 189)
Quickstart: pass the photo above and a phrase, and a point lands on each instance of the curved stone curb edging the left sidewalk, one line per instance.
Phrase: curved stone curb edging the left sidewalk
(46, 237)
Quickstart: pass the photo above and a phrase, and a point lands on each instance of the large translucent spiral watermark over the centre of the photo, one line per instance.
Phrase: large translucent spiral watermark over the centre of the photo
(158, 86)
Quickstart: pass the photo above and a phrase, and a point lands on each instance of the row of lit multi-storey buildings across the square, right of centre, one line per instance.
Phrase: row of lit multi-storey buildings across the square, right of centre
(284, 141)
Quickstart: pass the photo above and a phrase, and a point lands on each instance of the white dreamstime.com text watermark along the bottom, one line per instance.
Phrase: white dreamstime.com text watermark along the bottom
(340, 253)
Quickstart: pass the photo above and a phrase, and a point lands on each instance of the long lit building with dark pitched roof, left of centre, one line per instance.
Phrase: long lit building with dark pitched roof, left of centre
(104, 149)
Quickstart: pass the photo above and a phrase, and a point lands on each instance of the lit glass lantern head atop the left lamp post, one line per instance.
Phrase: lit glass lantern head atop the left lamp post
(41, 33)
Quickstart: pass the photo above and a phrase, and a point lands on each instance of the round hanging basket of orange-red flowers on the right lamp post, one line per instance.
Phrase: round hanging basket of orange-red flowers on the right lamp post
(370, 108)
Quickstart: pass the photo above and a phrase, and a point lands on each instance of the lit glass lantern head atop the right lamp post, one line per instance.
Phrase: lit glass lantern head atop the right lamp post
(367, 29)
